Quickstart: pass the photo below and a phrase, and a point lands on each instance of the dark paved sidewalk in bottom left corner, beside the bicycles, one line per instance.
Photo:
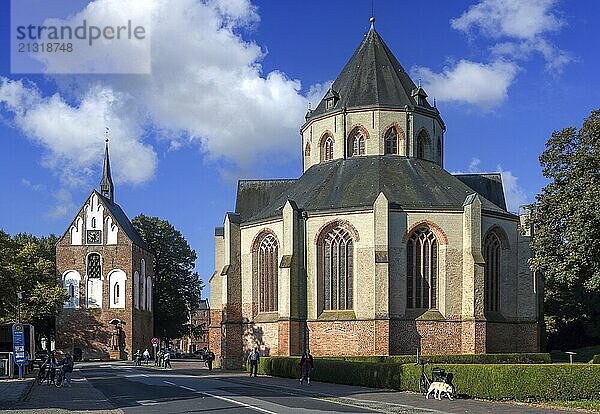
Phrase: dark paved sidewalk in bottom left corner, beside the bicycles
(81, 397)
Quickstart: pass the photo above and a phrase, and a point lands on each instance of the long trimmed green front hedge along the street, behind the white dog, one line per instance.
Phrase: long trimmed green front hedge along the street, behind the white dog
(522, 382)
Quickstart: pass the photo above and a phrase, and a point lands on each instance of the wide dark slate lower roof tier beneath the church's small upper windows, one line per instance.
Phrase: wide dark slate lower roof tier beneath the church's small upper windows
(346, 184)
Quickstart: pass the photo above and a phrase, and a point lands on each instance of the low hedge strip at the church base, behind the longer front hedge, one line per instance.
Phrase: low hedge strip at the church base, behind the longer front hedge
(540, 358)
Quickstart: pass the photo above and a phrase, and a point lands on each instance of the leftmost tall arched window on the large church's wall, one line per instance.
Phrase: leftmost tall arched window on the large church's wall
(267, 258)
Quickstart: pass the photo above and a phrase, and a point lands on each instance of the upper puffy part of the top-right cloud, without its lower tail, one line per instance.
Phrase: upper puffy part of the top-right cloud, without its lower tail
(510, 18)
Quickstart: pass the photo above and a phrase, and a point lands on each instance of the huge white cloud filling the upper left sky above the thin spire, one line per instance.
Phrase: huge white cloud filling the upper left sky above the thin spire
(206, 87)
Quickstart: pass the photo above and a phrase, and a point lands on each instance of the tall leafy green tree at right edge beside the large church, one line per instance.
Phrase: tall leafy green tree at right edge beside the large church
(566, 244)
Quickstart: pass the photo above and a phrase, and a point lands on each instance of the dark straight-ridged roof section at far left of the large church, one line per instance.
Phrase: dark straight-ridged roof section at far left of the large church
(254, 195)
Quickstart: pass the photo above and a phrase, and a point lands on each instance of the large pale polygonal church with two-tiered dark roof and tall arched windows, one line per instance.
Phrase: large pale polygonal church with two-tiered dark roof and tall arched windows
(375, 249)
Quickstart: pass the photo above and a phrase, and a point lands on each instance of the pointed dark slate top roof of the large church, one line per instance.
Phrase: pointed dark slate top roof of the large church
(373, 77)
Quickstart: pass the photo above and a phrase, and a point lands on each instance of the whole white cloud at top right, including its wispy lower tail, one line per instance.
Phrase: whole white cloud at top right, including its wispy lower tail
(523, 24)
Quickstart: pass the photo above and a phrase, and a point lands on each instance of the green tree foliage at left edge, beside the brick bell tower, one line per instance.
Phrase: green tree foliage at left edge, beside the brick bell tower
(27, 264)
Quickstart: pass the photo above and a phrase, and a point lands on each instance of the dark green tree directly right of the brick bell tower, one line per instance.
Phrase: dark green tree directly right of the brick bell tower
(176, 287)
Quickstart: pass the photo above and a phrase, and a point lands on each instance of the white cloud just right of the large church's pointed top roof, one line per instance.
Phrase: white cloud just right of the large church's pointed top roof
(485, 85)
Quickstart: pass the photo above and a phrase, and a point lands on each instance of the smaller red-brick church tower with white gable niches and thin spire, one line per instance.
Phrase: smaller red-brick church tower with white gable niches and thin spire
(106, 269)
